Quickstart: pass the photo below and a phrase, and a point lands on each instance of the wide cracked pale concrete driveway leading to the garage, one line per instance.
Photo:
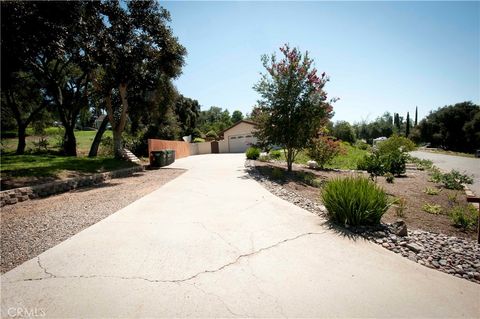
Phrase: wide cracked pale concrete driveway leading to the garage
(214, 243)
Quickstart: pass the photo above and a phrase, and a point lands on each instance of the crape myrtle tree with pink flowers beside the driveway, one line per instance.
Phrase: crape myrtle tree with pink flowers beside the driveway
(293, 104)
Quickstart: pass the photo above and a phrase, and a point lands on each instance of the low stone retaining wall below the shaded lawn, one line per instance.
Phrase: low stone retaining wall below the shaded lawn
(13, 196)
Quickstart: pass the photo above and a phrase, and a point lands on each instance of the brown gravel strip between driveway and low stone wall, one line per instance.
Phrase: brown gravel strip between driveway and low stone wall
(29, 228)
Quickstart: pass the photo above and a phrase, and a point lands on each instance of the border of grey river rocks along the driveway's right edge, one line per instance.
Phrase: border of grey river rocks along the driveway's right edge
(456, 256)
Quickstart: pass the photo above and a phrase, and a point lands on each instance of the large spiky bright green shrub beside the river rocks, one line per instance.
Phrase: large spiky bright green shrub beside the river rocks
(354, 201)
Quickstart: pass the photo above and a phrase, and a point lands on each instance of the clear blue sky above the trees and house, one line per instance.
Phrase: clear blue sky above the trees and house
(380, 56)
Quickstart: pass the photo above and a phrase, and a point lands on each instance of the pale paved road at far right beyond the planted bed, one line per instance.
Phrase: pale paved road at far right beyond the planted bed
(468, 165)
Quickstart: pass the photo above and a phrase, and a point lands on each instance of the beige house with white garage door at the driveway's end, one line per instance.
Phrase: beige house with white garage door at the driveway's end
(239, 136)
